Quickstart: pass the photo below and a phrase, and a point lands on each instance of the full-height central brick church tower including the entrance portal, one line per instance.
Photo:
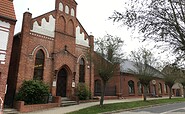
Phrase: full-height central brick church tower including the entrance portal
(64, 44)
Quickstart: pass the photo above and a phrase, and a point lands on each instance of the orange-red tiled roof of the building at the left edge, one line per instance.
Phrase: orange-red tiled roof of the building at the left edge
(7, 9)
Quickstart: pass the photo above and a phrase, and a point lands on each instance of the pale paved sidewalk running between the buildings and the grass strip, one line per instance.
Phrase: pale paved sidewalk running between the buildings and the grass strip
(63, 110)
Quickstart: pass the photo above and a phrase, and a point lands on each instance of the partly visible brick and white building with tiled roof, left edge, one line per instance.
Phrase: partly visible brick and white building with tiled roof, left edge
(7, 25)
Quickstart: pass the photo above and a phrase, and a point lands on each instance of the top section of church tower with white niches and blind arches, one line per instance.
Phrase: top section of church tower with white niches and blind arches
(66, 16)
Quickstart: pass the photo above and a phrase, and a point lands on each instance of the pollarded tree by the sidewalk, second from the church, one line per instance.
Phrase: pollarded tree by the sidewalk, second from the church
(143, 60)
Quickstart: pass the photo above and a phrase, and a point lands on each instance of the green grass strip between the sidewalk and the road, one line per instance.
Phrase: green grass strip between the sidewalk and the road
(125, 105)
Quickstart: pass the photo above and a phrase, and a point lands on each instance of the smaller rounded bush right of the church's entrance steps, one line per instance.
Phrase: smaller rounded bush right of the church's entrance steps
(83, 92)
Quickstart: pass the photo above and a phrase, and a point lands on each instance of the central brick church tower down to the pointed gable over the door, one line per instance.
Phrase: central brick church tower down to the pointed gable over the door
(66, 23)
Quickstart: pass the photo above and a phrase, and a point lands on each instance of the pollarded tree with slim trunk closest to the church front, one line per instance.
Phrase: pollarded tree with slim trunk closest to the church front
(106, 59)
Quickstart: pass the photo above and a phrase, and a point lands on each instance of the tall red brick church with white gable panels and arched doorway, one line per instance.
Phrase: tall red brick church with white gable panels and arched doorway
(52, 47)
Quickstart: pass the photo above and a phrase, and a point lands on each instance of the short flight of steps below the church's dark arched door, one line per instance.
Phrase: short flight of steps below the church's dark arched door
(67, 102)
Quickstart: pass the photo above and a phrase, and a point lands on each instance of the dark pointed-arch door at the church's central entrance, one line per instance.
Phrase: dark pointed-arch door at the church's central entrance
(61, 83)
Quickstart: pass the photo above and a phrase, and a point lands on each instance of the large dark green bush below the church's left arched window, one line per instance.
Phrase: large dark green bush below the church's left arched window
(33, 92)
